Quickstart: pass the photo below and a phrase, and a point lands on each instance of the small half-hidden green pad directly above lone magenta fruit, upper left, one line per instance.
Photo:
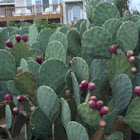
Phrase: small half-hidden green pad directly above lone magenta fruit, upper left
(32, 53)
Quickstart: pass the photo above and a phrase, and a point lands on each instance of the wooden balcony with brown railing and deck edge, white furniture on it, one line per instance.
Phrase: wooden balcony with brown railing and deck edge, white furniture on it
(31, 12)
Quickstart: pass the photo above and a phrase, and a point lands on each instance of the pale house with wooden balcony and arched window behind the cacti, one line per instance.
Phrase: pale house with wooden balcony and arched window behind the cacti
(65, 10)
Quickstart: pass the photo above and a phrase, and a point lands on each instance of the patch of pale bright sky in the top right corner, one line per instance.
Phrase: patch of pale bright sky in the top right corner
(134, 5)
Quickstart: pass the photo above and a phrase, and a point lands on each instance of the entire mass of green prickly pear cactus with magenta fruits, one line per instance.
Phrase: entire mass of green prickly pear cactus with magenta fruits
(76, 83)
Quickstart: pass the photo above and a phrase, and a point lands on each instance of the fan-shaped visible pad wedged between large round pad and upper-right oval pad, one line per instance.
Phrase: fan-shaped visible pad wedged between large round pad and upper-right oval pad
(112, 26)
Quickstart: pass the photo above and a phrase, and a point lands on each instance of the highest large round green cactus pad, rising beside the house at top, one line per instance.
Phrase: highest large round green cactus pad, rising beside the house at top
(104, 11)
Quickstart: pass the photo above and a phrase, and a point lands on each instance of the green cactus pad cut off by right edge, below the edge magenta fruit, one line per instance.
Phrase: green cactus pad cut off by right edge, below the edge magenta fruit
(133, 115)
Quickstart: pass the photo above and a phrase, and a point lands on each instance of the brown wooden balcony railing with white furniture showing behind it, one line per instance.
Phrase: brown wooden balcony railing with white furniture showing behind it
(31, 10)
